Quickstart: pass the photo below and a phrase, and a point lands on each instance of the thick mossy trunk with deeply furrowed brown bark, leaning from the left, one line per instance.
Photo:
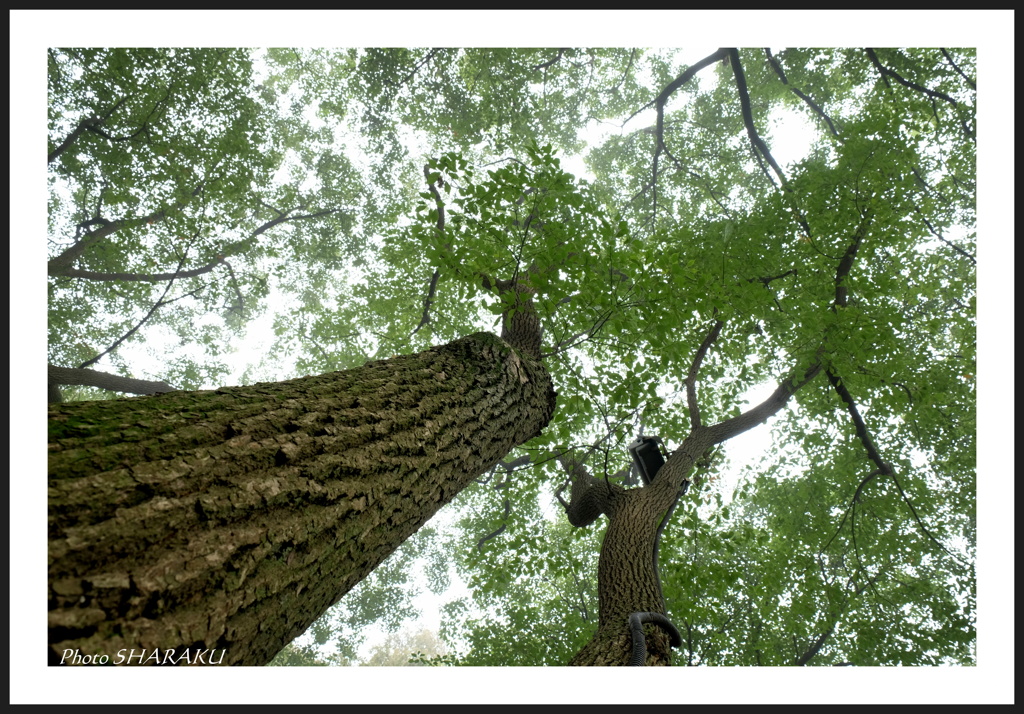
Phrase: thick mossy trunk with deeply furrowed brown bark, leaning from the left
(230, 521)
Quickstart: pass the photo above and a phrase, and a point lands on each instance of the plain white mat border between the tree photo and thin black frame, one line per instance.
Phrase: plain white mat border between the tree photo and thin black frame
(992, 32)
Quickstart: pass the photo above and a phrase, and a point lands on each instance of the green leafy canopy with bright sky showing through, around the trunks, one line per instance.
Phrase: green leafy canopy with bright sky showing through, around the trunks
(378, 194)
